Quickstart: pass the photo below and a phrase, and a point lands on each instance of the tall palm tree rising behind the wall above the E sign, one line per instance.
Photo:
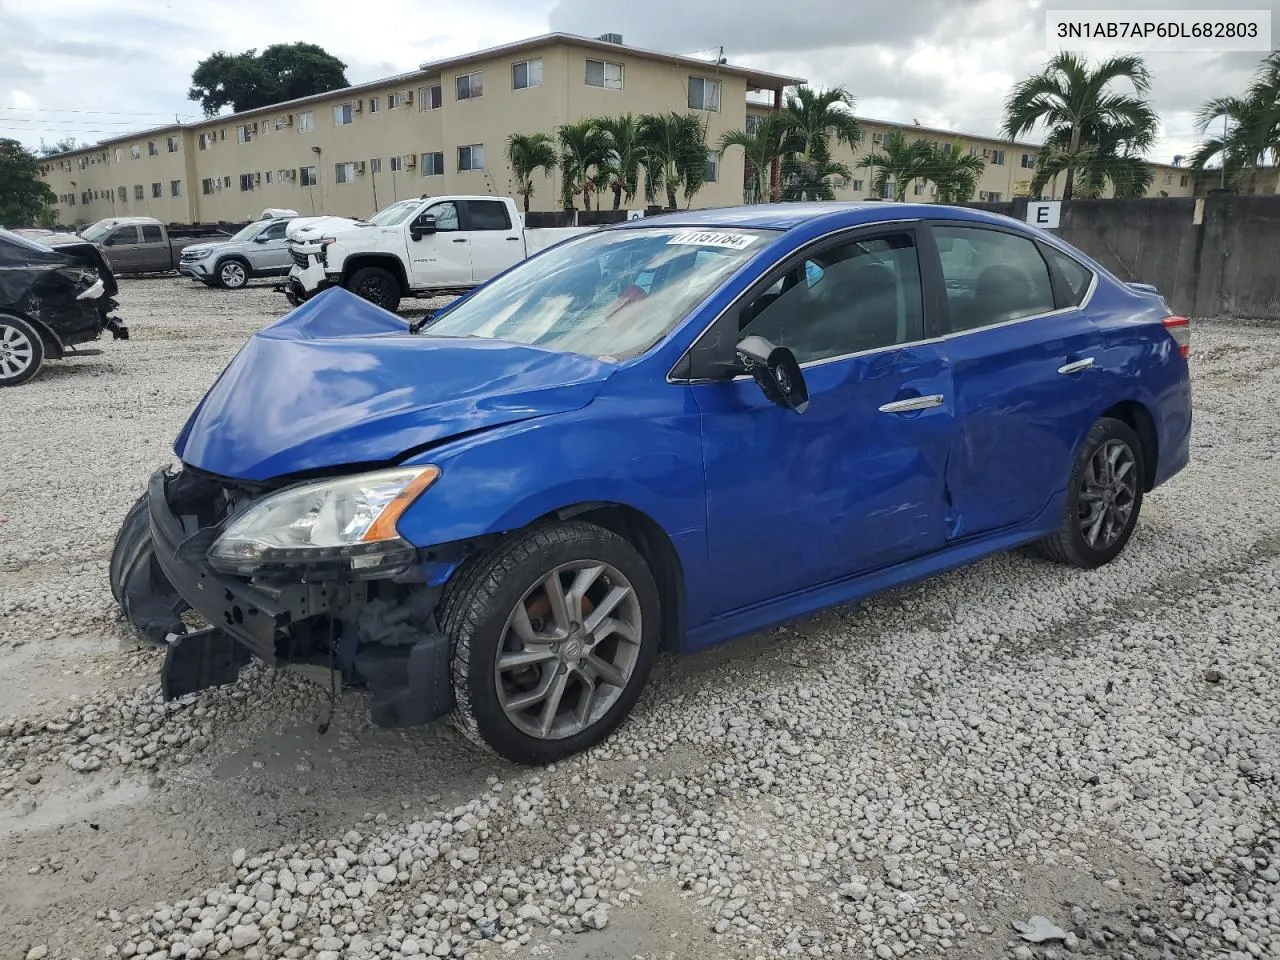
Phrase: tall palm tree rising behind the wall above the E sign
(1073, 99)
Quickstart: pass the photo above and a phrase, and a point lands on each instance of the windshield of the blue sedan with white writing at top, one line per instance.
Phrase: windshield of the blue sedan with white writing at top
(612, 294)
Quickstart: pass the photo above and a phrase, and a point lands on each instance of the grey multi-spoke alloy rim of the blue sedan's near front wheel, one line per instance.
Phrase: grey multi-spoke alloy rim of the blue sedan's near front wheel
(569, 650)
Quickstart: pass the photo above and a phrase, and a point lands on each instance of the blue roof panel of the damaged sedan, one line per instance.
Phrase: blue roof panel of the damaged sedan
(789, 217)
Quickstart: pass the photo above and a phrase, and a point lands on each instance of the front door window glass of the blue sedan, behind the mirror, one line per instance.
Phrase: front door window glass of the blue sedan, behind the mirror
(857, 296)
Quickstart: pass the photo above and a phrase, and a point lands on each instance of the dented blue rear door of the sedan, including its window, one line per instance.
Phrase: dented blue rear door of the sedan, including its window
(1021, 351)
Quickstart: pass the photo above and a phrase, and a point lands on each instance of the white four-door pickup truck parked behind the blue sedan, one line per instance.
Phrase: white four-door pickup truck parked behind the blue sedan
(426, 248)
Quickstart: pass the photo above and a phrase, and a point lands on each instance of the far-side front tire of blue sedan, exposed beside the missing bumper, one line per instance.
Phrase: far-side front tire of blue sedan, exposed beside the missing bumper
(145, 596)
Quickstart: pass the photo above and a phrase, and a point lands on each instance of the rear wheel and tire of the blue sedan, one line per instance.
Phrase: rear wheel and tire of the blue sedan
(1104, 499)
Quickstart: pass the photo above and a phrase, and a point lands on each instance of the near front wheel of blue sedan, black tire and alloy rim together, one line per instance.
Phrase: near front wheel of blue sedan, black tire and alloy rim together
(554, 638)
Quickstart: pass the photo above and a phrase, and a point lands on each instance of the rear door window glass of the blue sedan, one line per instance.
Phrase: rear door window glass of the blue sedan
(991, 277)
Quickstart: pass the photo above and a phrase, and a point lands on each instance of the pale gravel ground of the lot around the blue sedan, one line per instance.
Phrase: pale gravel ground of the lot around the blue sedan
(908, 778)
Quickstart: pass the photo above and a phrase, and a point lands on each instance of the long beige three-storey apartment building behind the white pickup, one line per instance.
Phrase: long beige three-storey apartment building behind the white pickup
(440, 130)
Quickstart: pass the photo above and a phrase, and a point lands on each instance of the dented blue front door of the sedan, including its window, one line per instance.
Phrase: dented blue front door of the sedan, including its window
(857, 482)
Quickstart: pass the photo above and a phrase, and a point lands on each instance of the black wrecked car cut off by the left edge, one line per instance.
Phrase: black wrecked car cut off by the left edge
(51, 303)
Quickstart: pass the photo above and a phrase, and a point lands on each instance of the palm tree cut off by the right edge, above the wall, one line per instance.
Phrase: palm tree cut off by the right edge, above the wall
(1250, 125)
